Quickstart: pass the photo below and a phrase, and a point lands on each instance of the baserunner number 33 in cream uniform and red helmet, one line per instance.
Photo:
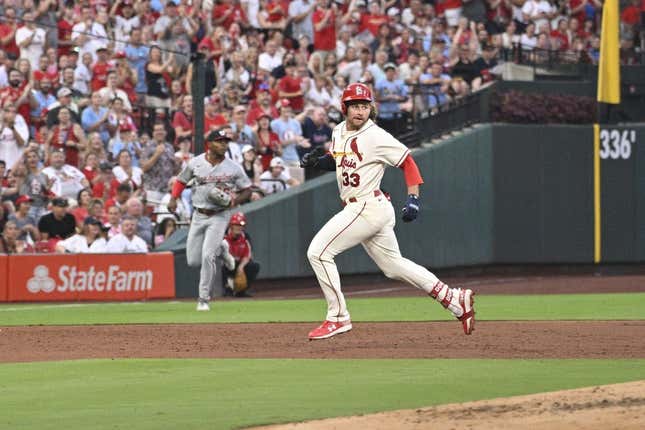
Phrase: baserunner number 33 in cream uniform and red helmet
(359, 153)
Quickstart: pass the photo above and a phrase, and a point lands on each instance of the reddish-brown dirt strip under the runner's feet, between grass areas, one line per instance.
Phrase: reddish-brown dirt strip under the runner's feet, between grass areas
(528, 339)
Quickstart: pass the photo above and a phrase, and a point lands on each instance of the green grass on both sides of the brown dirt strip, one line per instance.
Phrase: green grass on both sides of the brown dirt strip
(223, 394)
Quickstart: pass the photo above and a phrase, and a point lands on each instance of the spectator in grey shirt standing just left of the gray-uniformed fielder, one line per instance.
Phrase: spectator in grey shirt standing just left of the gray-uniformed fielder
(158, 163)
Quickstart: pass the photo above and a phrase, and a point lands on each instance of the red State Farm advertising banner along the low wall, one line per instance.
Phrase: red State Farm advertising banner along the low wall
(99, 277)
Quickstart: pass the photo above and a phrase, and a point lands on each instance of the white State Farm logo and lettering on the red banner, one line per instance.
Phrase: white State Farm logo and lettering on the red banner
(91, 279)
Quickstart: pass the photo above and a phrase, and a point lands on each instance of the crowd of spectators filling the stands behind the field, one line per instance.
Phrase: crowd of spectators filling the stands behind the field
(96, 112)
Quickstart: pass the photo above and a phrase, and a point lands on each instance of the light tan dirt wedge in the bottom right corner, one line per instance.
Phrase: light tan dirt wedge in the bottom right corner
(608, 407)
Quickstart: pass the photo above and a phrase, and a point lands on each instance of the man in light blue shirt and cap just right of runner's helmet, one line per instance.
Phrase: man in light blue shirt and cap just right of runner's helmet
(391, 93)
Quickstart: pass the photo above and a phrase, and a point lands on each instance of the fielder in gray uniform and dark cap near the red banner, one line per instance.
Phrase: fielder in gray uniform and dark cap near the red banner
(214, 178)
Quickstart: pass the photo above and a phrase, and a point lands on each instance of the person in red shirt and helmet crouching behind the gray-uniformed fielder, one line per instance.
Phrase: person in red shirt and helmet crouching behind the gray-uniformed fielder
(239, 247)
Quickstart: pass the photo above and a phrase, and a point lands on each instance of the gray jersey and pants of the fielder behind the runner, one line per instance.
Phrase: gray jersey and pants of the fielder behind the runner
(207, 231)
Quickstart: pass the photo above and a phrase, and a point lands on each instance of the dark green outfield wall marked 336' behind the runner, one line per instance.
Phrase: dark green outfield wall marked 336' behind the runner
(497, 194)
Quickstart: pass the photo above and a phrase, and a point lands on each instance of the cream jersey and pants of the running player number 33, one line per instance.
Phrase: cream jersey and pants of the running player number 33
(368, 216)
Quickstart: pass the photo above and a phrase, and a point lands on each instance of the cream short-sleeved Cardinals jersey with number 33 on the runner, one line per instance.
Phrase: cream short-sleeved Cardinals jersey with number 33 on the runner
(361, 158)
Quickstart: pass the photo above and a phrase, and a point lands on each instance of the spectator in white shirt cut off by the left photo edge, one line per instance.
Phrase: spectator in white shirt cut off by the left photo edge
(14, 135)
